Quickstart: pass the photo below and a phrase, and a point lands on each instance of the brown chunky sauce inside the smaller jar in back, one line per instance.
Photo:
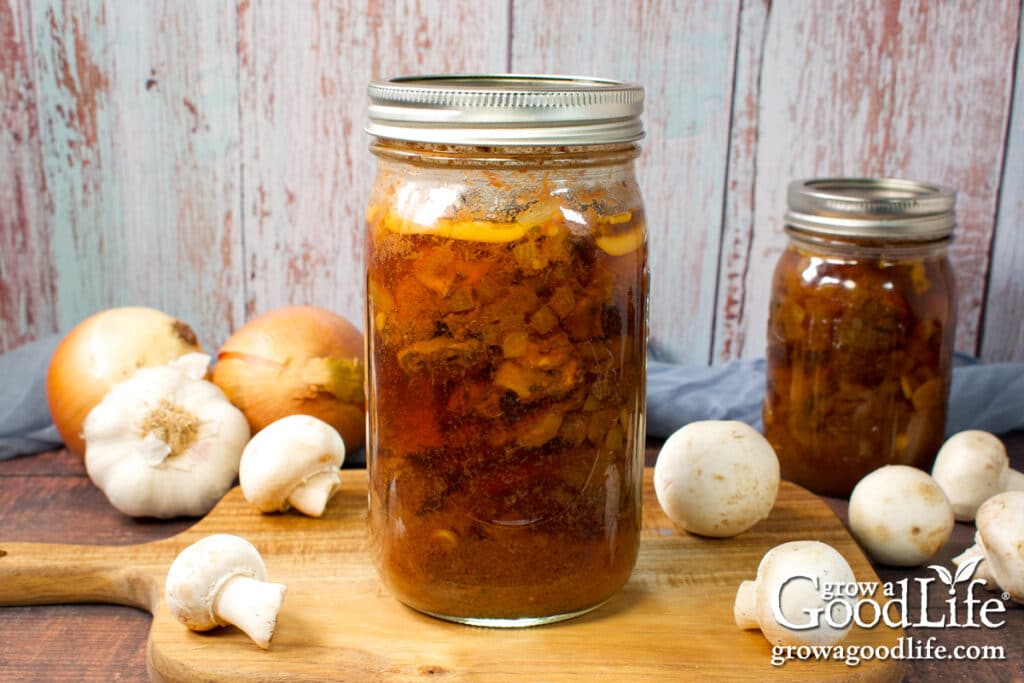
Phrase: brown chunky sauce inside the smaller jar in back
(860, 366)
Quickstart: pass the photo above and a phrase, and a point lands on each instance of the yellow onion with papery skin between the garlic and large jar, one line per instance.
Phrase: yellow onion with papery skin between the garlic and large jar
(296, 361)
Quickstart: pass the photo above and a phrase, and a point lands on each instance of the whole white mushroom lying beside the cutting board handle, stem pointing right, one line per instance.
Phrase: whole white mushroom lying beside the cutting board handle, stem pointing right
(222, 580)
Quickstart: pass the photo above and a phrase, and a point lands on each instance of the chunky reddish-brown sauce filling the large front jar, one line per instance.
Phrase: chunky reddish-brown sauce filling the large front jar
(506, 397)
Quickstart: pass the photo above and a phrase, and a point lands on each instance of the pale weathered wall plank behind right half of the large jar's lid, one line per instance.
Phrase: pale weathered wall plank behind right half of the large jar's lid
(684, 54)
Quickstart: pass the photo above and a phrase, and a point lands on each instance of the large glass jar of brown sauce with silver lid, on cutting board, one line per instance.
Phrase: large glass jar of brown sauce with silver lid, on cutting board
(506, 333)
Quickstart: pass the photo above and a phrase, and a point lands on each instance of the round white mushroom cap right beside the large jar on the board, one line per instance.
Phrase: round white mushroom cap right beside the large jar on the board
(717, 478)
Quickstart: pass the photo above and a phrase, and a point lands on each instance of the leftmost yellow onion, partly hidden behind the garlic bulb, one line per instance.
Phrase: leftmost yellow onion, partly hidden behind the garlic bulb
(103, 351)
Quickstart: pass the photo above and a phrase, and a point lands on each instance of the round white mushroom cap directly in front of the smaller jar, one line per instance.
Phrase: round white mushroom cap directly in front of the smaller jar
(901, 516)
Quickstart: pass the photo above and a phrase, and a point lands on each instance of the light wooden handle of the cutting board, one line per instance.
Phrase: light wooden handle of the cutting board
(37, 574)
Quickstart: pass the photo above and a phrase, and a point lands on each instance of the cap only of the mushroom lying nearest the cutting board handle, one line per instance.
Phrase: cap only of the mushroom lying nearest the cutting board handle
(201, 570)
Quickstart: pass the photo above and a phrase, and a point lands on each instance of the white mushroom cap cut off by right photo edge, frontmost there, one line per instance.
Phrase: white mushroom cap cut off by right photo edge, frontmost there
(1001, 531)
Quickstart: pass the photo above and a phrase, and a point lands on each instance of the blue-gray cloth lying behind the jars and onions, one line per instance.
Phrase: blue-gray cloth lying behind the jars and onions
(989, 397)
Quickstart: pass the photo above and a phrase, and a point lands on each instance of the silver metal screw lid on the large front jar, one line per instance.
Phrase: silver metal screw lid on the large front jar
(506, 110)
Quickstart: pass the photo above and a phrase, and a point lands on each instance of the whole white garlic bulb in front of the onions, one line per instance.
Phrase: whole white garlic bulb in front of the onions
(165, 443)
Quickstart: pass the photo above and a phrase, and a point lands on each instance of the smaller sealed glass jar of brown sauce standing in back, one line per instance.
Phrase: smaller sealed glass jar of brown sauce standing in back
(861, 331)
